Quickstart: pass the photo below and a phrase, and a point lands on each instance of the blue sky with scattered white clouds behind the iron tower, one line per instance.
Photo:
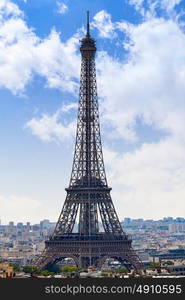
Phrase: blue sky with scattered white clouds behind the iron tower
(140, 65)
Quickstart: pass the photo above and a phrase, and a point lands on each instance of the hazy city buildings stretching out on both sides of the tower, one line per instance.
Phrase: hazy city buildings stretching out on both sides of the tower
(153, 240)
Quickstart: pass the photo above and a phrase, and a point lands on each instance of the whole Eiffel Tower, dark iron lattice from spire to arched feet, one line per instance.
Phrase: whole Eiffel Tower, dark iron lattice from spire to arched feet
(88, 195)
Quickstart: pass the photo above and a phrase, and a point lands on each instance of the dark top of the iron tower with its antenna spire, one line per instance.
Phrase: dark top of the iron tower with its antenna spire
(88, 44)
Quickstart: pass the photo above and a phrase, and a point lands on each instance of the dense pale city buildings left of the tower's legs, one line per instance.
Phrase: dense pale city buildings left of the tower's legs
(20, 243)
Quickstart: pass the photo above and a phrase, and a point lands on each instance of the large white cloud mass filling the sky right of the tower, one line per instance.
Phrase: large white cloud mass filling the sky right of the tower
(148, 182)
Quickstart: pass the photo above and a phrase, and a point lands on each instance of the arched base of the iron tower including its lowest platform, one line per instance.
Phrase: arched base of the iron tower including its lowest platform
(89, 250)
